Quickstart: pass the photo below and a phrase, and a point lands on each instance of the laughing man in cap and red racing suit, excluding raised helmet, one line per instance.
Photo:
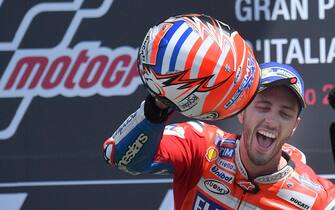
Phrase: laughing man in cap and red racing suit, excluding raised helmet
(213, 169)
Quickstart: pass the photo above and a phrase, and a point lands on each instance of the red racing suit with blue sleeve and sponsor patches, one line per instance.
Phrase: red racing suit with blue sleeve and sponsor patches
(207, 171)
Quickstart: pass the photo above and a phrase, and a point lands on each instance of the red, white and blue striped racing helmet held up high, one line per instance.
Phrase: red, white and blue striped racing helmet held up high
(198, 65)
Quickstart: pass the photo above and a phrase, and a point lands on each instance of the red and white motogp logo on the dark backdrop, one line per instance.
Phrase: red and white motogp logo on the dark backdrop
(84, 70)
